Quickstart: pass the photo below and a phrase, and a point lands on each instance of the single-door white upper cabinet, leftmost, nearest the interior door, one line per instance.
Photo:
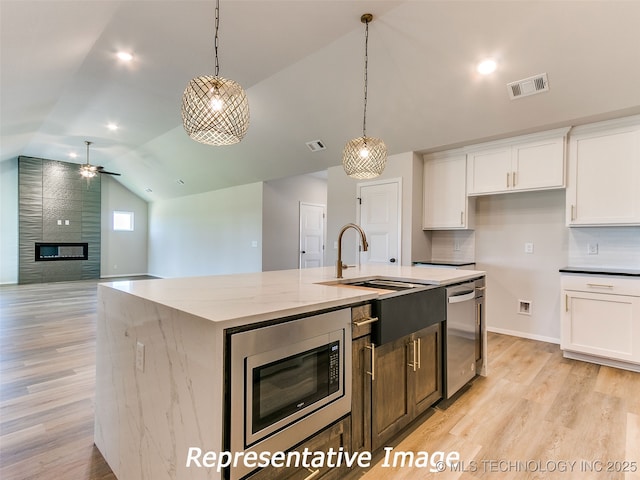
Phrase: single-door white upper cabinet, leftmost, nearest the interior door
(446, 205)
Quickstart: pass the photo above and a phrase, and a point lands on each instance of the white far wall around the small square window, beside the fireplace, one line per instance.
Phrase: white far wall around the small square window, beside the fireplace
(122, 253)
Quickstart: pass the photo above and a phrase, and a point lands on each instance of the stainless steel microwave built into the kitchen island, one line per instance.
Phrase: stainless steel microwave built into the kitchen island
(288, 381)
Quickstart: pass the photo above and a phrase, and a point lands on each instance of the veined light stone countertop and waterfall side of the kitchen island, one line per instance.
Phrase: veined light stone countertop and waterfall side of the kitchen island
(160, 351)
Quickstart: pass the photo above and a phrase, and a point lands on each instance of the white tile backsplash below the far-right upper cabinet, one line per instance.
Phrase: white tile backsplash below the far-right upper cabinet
(617, 247)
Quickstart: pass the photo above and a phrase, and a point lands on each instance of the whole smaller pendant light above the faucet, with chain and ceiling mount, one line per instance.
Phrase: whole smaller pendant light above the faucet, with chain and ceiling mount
(364, 157)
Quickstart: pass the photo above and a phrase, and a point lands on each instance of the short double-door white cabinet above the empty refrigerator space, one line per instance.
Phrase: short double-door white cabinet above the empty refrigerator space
(528, 162)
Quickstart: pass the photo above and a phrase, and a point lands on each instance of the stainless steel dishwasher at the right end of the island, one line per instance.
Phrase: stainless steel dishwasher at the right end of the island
(461, 337)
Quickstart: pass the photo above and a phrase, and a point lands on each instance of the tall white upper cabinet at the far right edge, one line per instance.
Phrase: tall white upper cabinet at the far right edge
(604, 174)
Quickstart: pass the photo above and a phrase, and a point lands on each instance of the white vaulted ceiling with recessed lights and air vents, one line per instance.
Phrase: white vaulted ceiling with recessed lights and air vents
(301, 62)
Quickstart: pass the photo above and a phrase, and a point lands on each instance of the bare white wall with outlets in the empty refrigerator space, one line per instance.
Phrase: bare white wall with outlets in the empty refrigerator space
(504, 223)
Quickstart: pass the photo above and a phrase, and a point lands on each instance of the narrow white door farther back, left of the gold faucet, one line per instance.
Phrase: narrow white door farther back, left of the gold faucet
(311, 235)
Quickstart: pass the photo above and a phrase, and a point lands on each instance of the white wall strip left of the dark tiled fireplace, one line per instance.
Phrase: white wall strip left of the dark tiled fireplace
(9, 221)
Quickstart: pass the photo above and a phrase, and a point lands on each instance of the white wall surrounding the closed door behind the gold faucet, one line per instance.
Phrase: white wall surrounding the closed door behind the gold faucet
(342, 207)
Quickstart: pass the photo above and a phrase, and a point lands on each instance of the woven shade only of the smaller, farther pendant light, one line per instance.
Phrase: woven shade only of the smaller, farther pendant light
(364, 157)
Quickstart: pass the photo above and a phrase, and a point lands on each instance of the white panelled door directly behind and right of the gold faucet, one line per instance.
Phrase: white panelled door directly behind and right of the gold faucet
(379, 217)
